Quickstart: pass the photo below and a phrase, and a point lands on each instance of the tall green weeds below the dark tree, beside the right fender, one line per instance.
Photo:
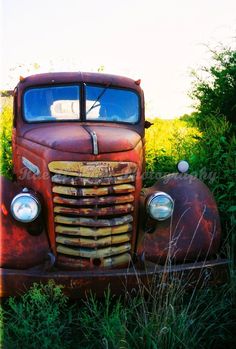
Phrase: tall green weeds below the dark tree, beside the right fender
(216, 153)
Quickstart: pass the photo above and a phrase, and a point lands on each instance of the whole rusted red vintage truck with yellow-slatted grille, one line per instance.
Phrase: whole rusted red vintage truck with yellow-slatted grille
(76, 211)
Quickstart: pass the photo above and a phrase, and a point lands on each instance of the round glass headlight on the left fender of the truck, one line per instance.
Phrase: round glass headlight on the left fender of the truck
(25, 207)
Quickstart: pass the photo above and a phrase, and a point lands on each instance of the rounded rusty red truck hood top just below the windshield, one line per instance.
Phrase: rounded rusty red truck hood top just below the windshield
(77, 138)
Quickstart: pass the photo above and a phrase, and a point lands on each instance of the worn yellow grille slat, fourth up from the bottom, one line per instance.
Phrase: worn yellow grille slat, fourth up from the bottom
(93, 232)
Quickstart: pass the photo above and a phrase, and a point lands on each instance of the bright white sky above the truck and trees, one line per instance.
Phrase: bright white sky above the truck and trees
(157, 41)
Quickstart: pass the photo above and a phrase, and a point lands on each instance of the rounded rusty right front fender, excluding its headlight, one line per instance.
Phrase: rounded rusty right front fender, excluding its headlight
(193, 232)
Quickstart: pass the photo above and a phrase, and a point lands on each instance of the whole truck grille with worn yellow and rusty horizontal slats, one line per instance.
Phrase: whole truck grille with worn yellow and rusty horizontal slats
(93, 212)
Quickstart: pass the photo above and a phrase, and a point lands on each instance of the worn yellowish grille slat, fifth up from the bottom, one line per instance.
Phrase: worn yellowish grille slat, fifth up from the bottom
(90, 222)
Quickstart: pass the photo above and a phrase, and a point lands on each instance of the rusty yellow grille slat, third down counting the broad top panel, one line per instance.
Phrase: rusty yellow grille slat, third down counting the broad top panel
(116, 189)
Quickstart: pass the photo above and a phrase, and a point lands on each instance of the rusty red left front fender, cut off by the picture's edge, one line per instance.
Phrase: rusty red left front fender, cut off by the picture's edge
(19, 249)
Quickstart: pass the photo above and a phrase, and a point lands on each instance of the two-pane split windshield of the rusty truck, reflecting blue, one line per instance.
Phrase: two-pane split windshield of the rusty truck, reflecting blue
(63, 103)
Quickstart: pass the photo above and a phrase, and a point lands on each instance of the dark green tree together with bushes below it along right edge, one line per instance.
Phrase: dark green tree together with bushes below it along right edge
(215, 96)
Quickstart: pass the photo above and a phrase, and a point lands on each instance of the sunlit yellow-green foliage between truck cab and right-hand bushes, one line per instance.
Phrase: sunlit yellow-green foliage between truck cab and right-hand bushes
(167, 142)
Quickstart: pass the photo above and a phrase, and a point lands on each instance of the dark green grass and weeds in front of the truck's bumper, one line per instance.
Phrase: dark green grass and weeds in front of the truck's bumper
(163, 315)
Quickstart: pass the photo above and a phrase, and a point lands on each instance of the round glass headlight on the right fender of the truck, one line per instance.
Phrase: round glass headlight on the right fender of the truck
(160, 206)
